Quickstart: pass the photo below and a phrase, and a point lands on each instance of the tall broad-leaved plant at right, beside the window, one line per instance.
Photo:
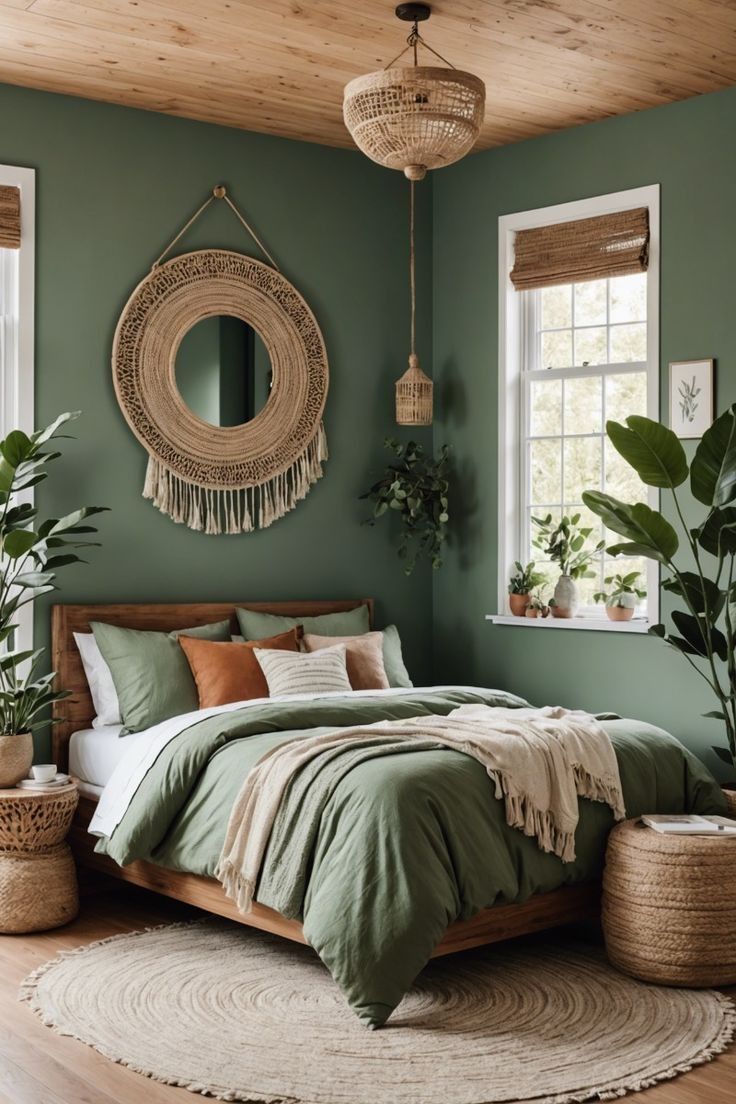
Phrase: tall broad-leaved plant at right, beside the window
(705, 627)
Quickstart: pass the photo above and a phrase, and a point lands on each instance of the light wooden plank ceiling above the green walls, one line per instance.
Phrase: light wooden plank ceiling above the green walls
(280, 66)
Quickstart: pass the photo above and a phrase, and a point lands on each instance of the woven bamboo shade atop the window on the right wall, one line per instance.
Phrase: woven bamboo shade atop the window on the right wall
(588, 249)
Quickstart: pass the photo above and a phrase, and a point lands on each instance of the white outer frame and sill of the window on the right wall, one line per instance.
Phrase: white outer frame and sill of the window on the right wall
(511, 409)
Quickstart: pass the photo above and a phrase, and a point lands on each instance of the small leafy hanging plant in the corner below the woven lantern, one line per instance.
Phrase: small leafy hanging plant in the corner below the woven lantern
(417, 487)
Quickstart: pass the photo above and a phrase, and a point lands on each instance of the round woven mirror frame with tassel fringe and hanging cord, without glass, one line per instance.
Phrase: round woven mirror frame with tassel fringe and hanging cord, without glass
(221, 479)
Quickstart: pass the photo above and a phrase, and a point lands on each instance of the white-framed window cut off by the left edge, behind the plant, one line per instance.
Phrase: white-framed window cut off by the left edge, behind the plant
(17, 256)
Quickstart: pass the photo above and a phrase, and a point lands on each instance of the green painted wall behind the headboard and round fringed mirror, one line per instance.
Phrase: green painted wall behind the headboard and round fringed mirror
(114, 185)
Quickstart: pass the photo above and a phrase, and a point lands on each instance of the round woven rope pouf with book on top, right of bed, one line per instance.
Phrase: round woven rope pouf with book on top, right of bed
(669, 907)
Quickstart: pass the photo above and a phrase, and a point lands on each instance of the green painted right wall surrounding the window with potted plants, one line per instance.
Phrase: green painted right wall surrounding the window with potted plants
(689, 148)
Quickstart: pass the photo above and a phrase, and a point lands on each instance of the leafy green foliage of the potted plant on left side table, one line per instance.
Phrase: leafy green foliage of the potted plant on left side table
(30, 555)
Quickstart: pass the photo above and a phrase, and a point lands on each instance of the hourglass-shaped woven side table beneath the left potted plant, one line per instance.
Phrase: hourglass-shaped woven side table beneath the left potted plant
(38, 878)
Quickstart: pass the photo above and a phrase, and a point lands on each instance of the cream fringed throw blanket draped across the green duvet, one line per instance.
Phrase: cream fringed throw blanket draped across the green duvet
(541, 761)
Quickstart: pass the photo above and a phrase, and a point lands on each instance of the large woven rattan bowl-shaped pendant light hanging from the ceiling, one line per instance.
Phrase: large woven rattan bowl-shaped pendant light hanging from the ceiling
(415, 119)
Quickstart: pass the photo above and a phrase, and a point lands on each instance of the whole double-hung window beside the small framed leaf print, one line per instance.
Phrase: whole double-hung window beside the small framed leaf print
(574, 354)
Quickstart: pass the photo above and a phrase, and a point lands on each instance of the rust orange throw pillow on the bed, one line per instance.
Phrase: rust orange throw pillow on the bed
(231, 672)
